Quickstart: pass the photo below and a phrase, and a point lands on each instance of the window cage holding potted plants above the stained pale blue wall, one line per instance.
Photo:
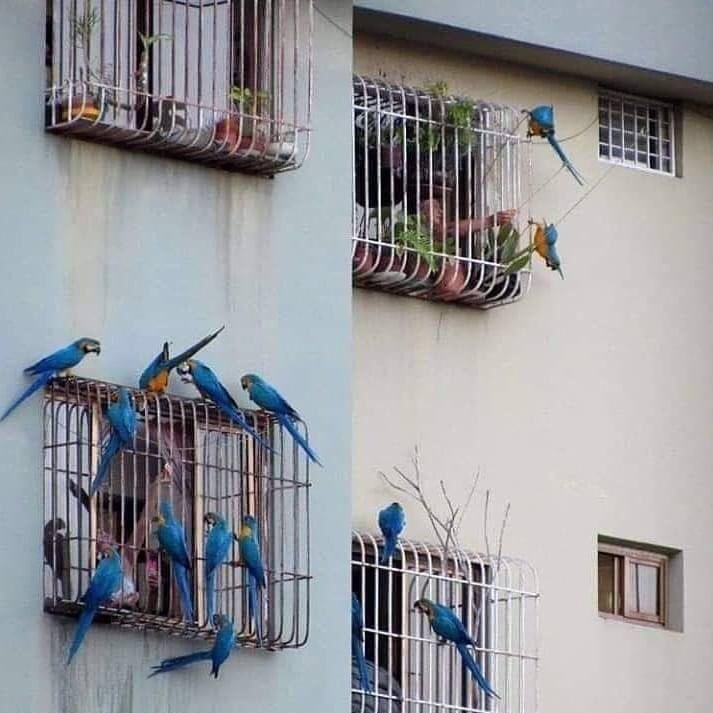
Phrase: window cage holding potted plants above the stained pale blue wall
(223, 82)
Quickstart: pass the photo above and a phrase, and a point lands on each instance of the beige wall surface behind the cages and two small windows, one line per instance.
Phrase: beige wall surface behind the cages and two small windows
(588, 404)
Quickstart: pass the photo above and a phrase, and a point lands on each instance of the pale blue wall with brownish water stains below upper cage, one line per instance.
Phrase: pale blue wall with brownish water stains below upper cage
(132, 249)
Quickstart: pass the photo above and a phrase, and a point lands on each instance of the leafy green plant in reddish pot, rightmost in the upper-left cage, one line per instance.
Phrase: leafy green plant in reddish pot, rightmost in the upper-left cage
(242, 129)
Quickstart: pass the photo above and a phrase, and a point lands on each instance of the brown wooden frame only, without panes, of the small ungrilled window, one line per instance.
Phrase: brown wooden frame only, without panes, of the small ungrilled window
(624, 559)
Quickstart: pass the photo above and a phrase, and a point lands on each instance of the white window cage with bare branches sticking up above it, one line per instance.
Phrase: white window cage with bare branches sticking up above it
(410, 671)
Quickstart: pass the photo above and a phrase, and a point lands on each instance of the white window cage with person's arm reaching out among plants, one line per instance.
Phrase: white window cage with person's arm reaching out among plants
(437, 190)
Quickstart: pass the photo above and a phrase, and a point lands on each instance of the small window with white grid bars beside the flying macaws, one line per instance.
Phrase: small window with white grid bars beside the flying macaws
(637, 132)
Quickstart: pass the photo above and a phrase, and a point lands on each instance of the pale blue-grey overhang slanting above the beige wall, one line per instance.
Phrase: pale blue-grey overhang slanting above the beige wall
(660, 35)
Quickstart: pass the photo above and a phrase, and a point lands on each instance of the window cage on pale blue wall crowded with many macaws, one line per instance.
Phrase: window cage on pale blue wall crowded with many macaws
(184, 452)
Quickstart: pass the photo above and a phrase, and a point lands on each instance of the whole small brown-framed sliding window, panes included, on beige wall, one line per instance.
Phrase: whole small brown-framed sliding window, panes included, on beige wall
(633, 583)
